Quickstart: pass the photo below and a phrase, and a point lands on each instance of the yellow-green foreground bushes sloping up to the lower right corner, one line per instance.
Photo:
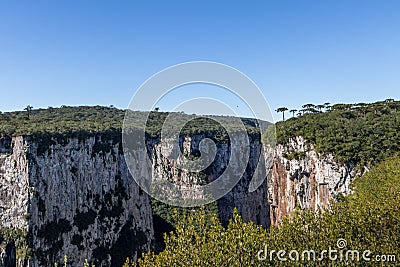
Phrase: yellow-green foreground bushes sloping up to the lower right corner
(368, 220)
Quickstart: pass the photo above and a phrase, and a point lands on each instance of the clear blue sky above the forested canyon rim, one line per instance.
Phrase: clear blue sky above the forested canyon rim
(98, 53)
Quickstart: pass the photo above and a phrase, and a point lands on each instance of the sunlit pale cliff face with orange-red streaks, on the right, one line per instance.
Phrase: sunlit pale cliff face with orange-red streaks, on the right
(303, 178)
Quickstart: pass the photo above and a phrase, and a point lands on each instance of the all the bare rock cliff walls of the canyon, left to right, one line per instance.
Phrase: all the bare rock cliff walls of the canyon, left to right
(74, 195)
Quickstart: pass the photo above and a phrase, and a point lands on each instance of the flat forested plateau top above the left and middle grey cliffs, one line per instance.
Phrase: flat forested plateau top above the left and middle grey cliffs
(89, 120)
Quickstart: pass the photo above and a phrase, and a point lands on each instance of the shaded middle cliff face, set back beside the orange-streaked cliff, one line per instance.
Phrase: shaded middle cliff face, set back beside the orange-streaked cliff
(252, 206)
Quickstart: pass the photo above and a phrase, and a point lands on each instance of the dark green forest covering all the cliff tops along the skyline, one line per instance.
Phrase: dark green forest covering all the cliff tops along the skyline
(363, 134)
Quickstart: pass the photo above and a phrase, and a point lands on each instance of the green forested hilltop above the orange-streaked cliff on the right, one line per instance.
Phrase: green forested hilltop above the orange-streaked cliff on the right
(364, 134)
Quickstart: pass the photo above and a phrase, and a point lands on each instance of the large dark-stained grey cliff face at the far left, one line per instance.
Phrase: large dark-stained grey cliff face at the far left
(75, 197)
